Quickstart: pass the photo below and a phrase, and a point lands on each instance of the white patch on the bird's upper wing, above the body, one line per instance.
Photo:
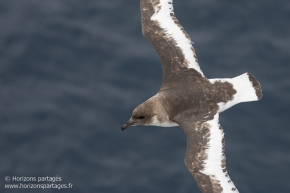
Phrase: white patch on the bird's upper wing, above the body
(163, 17)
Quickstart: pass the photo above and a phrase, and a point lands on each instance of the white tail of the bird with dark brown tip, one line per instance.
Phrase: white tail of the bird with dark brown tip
(247, 87)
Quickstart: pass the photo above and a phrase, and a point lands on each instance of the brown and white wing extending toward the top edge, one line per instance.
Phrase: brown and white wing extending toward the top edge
(167, 36)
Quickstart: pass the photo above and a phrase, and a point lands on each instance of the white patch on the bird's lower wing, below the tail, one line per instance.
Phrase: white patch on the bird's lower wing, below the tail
(215, 156)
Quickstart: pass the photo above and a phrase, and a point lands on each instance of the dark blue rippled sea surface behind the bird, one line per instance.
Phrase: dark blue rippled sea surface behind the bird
(72, 71)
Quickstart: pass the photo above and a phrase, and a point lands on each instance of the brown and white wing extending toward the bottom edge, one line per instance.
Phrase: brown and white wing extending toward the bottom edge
(205, 158)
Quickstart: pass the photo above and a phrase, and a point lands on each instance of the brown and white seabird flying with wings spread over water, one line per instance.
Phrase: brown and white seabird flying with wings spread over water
(188, 99)
